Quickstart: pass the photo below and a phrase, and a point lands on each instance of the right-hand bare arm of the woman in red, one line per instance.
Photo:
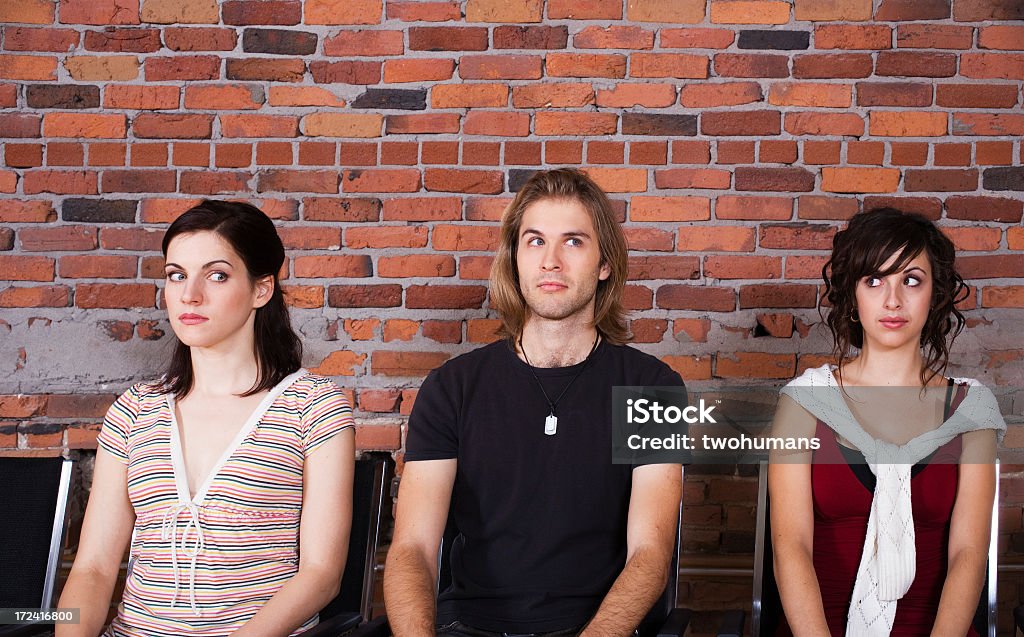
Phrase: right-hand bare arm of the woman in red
(969, 535)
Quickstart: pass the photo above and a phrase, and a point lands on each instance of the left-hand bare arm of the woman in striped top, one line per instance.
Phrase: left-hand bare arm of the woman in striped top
(106, 531)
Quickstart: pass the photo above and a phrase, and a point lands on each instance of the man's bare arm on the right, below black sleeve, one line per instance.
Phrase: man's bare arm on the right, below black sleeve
(651, 537)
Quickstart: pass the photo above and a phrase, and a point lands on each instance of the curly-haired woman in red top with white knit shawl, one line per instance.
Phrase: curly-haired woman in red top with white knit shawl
(884, 529)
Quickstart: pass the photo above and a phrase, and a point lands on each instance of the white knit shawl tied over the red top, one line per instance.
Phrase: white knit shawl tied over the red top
(888, 562)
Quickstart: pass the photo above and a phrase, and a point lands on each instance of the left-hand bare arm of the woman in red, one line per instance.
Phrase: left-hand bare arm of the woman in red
(793, 524)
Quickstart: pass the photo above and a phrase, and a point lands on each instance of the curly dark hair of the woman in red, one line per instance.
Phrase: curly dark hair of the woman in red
(873, 238)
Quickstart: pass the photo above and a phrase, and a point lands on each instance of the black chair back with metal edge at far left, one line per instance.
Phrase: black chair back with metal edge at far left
(33, 521)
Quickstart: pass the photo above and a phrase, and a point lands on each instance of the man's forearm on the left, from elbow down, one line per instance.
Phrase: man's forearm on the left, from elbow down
(409, 593)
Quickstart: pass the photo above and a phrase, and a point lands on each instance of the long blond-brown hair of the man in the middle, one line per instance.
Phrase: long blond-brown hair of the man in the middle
(563, 184)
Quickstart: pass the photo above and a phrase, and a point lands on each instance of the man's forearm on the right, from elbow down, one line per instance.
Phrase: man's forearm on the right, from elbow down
(633, 593)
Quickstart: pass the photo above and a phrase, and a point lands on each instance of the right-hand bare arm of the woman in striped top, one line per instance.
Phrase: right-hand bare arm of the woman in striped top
(324, 531)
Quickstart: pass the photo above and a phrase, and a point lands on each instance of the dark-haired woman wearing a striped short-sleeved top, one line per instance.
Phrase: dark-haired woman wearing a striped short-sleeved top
(232, 475)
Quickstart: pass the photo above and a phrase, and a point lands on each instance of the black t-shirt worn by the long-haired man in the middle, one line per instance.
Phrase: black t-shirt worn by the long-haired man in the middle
(542, 519)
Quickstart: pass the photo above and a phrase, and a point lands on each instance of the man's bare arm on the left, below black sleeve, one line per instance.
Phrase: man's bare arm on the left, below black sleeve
(411, 573)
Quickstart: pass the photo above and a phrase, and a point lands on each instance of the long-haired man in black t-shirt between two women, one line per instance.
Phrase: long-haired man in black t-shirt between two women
(515, 440)
